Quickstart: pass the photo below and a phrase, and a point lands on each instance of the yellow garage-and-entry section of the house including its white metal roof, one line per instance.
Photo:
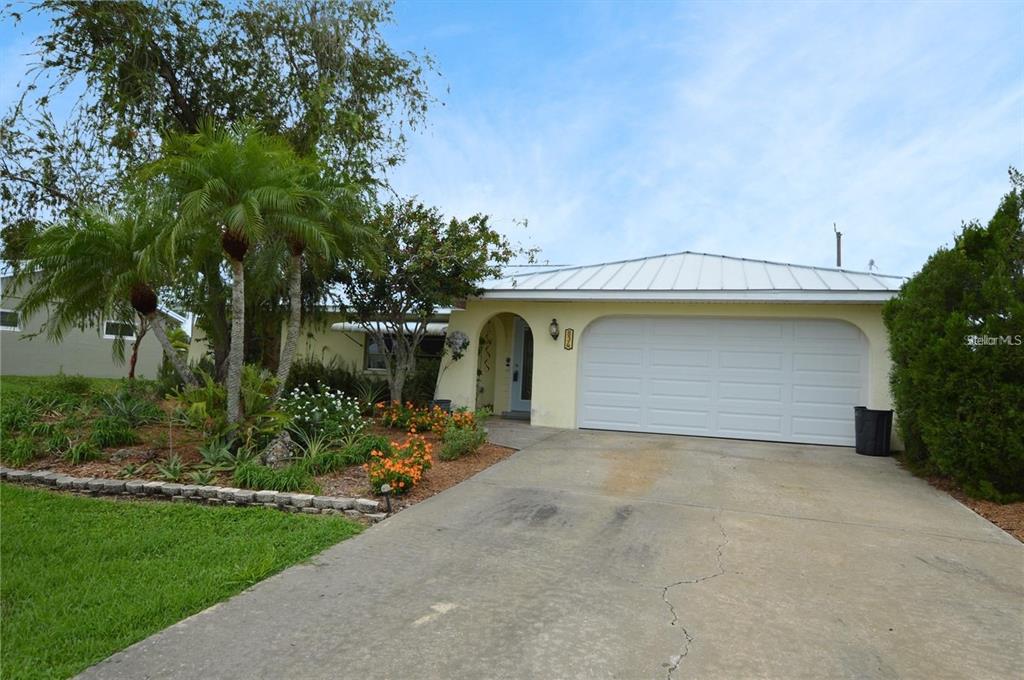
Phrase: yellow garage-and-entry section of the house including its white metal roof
(686, 344)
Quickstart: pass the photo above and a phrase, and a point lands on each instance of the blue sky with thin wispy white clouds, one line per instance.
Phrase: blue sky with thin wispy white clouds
(625, 130)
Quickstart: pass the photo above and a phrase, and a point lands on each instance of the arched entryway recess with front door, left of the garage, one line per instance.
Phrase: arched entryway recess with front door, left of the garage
(505, 366)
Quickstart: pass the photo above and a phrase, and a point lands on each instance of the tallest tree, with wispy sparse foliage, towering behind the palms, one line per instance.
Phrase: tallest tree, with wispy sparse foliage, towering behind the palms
(318, 72)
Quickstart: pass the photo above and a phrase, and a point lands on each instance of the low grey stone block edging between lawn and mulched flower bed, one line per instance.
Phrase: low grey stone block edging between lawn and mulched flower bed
(307, 503)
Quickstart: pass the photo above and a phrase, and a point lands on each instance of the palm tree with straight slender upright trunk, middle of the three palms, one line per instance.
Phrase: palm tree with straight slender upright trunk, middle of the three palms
(246, 188)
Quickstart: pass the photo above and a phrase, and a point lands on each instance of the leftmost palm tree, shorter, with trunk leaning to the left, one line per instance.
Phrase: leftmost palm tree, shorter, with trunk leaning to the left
(98, 267)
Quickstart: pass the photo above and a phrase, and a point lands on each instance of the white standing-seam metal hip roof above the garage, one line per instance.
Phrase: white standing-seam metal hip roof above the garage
(690, 276)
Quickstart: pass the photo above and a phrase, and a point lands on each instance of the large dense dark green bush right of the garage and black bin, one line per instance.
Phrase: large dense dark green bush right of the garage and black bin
(960, 401)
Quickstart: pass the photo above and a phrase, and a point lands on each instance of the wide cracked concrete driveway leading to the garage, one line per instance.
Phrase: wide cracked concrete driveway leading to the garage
(606, 556)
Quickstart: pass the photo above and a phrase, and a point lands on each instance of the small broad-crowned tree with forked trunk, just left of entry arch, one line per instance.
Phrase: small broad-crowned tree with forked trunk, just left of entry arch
(425, 263)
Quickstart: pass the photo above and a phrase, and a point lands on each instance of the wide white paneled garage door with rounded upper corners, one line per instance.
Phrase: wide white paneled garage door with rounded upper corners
(779, 380)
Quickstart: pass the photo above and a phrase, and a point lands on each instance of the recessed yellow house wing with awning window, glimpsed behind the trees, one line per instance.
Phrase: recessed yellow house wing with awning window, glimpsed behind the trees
(344, 343)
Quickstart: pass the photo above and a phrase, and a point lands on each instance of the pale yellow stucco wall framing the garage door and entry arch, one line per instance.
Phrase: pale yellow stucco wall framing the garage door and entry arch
(556, 369)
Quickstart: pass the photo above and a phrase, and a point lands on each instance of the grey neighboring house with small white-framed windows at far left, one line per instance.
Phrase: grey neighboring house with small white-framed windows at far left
(25, 351)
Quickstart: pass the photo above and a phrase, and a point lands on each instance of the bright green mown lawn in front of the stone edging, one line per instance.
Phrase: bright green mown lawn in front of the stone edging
(82, 578)
